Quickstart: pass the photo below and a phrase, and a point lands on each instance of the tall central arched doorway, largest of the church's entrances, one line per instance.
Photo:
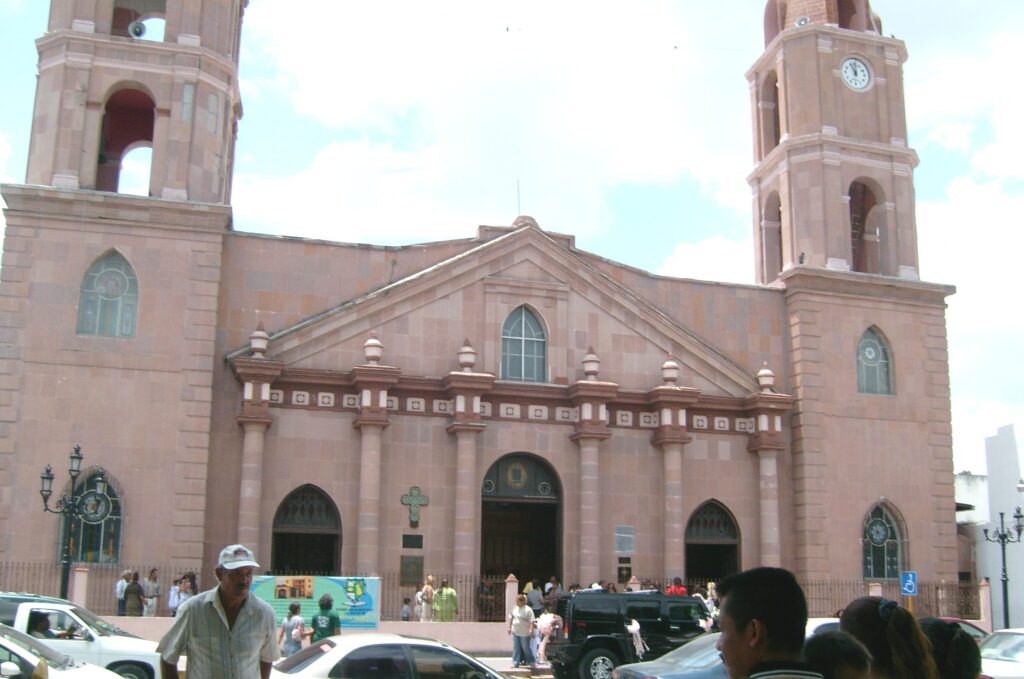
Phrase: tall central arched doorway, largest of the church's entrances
(521, 527)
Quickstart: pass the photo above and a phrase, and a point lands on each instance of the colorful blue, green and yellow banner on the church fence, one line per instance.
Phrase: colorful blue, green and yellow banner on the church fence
(357, 601)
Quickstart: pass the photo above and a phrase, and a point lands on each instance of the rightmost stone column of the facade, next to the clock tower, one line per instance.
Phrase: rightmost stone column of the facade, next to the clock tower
(767, 442)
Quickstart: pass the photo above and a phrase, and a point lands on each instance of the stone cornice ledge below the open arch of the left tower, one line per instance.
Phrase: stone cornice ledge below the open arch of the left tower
(76, 205)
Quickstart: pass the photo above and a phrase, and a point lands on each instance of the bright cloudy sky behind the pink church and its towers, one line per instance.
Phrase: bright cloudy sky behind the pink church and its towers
(627, 125)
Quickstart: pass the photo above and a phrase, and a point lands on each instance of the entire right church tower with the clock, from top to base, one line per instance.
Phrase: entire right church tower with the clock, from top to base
(835, 230)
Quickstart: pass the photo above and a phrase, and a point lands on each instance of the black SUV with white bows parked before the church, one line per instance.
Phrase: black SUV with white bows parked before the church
(593, 640)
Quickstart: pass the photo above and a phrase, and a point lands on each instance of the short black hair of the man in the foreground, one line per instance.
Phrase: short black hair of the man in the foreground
(772, 597)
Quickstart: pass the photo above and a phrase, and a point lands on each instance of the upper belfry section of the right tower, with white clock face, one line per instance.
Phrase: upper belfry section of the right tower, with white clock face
(833, 185)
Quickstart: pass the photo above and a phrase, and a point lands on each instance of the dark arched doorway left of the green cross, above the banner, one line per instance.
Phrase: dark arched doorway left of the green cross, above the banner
(307, 534)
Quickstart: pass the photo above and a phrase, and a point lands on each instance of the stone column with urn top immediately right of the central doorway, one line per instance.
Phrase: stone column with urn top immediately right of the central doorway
(591, 398)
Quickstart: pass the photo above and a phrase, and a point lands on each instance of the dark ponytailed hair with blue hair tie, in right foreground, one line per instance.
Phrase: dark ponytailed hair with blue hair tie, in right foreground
(898, 646)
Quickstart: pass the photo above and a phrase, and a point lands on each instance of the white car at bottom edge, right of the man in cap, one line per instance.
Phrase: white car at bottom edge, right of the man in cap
(377, 656)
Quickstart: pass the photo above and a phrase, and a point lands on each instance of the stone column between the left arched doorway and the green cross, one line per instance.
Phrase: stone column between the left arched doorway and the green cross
(372, 380)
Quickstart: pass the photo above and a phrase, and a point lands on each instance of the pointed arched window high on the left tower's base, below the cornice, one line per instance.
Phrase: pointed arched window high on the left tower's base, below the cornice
(108, 302)
